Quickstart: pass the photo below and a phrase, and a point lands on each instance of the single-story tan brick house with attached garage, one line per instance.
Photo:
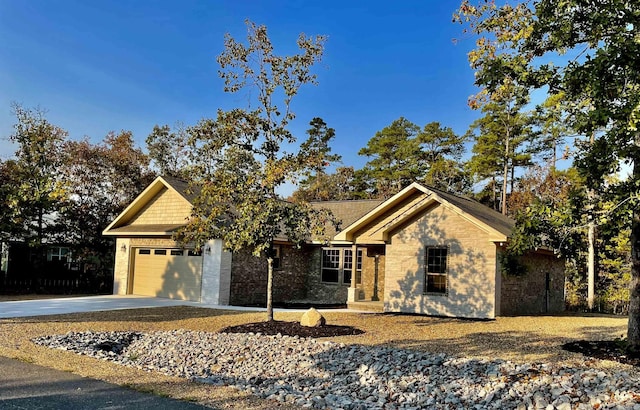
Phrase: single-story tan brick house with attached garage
(421, 251)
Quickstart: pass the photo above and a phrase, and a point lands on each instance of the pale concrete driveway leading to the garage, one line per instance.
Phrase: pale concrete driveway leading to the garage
(40, 307)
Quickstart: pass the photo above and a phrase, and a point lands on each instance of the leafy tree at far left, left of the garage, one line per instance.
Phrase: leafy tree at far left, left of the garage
(39, 192)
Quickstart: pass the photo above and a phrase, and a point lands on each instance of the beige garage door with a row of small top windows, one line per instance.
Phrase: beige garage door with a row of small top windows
(167, 273)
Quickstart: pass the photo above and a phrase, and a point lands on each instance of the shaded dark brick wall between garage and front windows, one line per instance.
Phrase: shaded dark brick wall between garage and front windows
(249, 277)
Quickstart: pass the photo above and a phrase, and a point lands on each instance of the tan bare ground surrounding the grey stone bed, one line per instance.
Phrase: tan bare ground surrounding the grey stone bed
(520, 339)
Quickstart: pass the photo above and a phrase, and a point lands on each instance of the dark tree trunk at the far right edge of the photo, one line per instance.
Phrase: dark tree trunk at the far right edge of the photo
(633, 328)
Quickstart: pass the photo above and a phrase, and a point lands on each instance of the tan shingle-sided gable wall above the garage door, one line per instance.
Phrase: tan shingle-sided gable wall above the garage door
(168, 207)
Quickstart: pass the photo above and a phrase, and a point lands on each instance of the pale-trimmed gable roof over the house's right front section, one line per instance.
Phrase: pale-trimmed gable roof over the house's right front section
(497, 225)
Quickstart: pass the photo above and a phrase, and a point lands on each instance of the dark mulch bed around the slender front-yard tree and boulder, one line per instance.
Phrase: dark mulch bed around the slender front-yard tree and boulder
(293, 329)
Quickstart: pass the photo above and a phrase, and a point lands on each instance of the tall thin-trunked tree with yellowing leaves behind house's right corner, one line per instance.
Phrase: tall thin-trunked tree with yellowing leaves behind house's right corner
(502, 73)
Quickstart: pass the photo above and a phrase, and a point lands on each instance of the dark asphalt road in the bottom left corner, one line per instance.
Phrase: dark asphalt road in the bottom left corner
(28, 386)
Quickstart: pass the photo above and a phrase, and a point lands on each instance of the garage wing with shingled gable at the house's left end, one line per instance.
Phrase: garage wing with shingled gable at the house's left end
(148, 260)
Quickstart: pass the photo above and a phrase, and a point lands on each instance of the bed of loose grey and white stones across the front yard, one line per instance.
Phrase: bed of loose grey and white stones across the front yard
(316, 374)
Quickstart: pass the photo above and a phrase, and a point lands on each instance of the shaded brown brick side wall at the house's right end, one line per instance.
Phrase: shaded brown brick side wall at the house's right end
(527, 294)
